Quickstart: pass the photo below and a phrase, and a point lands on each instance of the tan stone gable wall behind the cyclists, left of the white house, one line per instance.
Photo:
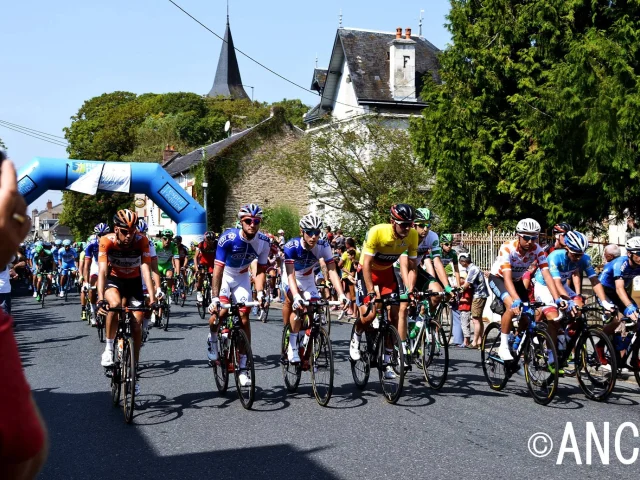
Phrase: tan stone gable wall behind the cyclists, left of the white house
(258, 183)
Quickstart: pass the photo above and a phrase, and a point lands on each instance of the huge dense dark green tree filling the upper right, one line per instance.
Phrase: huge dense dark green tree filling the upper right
(535, 115)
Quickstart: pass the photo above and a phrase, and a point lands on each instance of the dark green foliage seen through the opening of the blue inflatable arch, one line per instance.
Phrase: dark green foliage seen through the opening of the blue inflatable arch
(81, 212)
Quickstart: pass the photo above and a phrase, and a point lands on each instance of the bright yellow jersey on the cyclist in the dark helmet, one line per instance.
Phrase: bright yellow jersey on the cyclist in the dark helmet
(385, 248)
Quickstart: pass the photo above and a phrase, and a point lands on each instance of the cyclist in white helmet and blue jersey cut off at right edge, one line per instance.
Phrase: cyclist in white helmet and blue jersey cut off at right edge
(617, 280)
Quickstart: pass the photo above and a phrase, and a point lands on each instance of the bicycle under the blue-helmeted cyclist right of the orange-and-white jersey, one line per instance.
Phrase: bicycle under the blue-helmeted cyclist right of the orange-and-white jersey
(595, 360)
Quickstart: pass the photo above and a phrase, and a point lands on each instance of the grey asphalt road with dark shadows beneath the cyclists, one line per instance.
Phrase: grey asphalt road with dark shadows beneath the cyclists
(184, 429)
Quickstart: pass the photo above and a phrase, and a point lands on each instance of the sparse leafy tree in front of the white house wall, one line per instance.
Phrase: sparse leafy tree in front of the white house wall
(360, 170)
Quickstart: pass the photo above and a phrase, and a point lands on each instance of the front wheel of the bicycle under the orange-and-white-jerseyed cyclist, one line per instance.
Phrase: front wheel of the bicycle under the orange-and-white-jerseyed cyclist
(542, 383)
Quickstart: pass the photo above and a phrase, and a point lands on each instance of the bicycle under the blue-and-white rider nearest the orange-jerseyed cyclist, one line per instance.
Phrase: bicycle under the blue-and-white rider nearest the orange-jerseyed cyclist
(233, 345)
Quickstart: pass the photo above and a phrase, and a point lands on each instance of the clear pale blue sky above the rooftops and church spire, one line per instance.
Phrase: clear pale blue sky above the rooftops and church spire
(56, 55)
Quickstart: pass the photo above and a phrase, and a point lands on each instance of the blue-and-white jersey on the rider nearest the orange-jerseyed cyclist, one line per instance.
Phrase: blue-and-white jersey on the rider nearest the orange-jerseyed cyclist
(236, 253)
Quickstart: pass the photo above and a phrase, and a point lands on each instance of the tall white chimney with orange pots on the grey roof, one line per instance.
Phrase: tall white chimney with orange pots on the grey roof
(402, 67)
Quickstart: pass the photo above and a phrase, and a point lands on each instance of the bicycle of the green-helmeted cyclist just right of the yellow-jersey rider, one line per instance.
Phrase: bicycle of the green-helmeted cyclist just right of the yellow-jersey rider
(426, 343)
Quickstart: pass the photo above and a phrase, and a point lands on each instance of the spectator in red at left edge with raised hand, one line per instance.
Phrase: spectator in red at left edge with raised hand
(23, 443)
